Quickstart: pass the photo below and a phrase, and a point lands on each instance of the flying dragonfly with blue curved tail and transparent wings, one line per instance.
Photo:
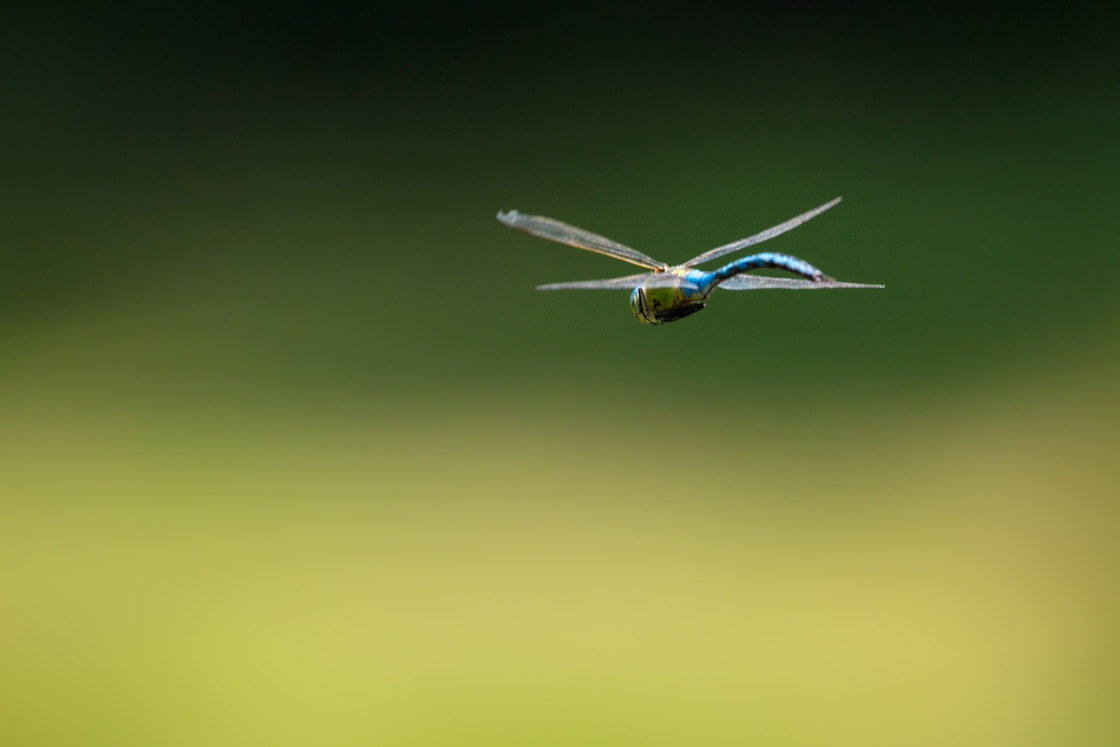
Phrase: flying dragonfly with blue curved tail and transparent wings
(666, 294)
